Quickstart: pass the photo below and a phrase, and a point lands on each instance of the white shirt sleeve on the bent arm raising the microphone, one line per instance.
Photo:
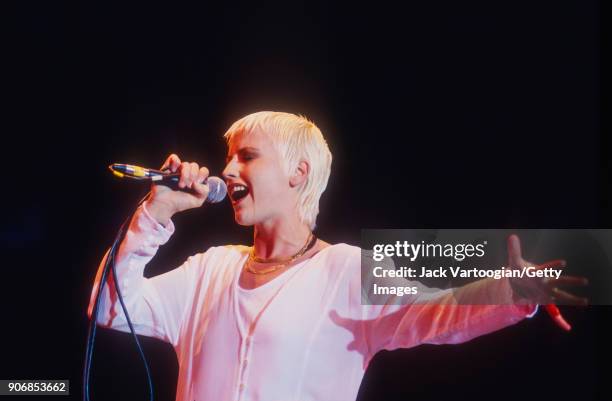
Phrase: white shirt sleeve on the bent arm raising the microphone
(156, 306)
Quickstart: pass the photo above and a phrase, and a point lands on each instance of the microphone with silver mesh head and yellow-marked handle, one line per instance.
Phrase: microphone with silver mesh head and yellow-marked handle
(217, 186)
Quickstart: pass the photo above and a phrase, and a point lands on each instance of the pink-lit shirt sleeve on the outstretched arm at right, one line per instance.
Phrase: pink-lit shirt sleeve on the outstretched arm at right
(437, 316)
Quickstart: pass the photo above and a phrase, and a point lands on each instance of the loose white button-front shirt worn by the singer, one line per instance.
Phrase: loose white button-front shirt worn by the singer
(312, 340)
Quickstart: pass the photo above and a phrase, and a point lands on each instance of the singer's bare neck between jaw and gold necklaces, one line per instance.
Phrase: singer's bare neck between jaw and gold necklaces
(281, 238)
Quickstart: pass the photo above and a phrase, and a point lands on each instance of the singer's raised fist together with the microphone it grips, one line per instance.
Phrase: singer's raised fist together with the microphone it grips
(168, 196)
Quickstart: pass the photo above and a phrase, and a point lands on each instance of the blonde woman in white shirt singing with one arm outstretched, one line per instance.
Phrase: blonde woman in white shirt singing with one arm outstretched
(282, 319)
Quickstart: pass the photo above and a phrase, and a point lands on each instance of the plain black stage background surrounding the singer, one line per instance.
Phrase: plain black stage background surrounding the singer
(439, 115)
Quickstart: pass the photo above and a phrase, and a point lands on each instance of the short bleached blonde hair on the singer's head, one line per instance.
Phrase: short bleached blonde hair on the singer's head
(296, 139)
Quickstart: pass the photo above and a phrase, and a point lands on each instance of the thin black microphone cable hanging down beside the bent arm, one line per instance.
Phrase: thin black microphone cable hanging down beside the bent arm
(109, 264)
